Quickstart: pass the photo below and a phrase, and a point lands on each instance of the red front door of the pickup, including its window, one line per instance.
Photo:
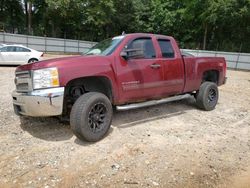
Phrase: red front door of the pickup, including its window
(140, 77)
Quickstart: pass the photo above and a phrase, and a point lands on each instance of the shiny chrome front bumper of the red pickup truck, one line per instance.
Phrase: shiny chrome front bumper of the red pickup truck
(39, 103)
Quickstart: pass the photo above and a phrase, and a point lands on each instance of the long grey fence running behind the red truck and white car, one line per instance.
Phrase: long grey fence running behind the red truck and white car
(234, 60)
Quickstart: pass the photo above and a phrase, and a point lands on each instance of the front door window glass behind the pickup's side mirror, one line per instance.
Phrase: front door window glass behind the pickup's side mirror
(144, 44)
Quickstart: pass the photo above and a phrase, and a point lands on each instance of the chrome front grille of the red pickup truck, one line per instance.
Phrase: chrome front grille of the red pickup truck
(23, 81)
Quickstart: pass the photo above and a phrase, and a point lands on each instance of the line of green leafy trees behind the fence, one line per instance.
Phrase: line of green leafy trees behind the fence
(222, 25)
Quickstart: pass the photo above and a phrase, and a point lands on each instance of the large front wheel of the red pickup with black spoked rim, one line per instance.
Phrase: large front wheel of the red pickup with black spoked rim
(91, 116)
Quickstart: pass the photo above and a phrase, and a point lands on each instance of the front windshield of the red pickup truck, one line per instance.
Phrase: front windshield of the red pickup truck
(105, 47)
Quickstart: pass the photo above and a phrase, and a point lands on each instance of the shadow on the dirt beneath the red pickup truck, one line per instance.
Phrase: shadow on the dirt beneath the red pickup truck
(51, 129)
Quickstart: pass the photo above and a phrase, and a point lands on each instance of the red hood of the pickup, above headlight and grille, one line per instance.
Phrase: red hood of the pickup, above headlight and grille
(66, 62)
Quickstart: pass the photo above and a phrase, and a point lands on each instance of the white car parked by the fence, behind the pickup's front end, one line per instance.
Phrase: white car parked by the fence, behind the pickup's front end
(18, 55)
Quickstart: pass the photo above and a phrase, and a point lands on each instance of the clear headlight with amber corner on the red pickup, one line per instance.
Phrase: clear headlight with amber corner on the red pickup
(45, 78)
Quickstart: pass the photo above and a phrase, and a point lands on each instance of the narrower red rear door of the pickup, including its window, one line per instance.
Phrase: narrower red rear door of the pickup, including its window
(173, 67)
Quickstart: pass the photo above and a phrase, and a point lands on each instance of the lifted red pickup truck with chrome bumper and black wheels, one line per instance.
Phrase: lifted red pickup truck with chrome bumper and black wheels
(126, 72)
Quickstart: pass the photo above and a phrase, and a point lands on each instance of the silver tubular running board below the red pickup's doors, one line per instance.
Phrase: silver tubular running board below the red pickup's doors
(151, 103)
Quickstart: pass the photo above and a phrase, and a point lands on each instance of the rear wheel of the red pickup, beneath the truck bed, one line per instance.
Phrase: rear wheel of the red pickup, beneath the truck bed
(207, 97)
